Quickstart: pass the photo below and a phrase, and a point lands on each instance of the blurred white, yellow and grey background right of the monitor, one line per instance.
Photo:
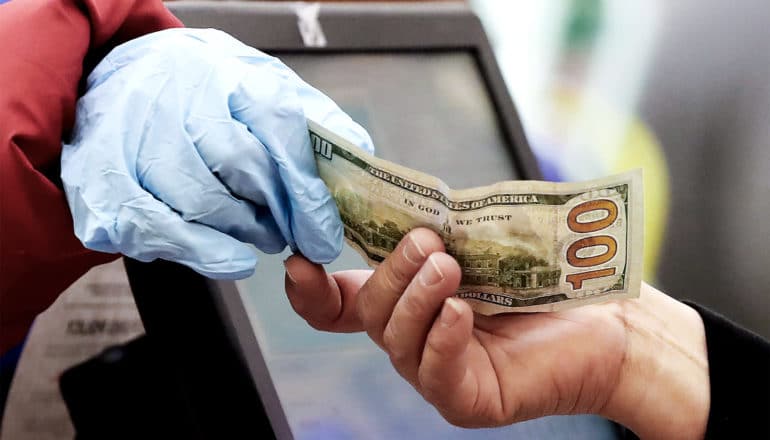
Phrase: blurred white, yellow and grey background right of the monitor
(681, 89)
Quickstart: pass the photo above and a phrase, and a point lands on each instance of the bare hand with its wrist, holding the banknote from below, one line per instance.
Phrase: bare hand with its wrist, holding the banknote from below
(490, 371)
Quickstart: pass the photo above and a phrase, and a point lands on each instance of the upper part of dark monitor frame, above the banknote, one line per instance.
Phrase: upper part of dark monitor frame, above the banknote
(375, 27)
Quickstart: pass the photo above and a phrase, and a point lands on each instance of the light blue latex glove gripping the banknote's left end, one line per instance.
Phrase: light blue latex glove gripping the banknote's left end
(189, 144)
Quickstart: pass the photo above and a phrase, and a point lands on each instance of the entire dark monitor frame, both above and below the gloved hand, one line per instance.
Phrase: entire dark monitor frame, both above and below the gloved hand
(272, 27)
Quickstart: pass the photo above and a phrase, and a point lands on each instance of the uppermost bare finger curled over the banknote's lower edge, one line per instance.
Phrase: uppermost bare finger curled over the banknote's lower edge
(381, 292)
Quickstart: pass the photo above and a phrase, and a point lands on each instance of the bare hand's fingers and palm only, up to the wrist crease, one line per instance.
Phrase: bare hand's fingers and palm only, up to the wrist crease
(480, 370)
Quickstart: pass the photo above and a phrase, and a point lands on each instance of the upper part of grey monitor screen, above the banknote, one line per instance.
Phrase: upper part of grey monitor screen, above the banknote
(427, 111)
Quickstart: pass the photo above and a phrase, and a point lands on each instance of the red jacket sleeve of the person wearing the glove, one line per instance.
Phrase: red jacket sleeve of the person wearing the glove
(45, 46)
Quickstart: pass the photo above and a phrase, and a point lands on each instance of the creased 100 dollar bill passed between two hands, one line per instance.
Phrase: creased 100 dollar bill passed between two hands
(523, 246)
